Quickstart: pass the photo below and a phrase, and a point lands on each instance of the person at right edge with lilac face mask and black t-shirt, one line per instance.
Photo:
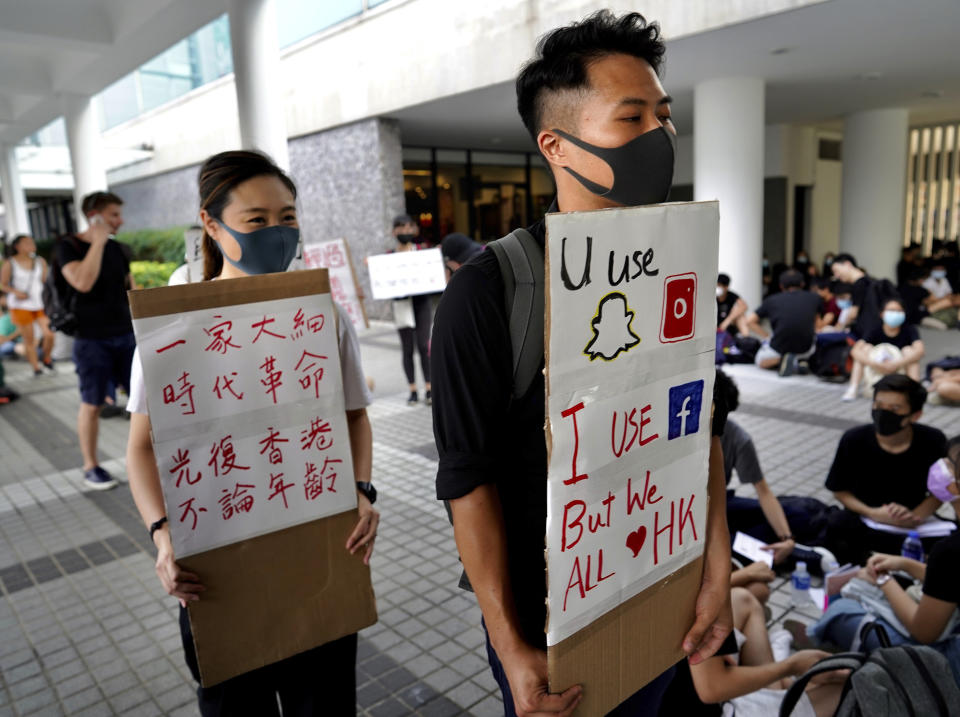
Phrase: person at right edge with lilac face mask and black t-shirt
(933, 619)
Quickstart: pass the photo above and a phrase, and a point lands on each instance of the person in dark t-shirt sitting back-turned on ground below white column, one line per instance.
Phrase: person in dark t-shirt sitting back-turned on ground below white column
(793, 316)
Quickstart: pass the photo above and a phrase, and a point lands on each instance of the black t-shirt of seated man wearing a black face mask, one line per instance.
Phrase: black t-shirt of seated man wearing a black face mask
(877, 477)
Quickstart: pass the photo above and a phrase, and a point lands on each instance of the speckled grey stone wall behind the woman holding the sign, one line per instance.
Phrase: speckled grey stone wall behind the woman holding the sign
(349, 181)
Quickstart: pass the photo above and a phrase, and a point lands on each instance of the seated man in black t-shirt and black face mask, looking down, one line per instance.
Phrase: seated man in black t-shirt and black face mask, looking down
(880, 473)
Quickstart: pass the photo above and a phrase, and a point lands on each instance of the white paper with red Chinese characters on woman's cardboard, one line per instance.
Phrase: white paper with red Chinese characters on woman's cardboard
(246, 407)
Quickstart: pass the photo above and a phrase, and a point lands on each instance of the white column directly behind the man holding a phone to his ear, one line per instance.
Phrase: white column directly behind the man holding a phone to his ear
(86, 150)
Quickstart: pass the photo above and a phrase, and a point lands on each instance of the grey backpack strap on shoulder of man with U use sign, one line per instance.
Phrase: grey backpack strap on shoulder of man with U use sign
(522, 268)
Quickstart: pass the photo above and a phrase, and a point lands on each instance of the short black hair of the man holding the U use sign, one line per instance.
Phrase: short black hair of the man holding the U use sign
(564, 54)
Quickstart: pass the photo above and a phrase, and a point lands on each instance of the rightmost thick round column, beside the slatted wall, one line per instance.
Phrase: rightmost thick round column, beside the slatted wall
(874, 188)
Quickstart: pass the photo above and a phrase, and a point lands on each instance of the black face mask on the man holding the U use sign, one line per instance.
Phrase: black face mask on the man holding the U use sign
(642, 168)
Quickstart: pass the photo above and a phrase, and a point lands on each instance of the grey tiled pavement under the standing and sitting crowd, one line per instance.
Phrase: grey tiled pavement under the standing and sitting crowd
(86, 629)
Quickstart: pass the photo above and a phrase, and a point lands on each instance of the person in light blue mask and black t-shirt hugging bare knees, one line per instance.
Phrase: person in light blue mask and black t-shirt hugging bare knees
(892, 347)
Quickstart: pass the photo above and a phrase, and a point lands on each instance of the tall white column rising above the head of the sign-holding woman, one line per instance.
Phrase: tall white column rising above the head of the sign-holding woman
(259, 82)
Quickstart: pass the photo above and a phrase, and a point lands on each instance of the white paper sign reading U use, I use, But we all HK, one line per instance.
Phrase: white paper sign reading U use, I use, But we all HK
(631, 334)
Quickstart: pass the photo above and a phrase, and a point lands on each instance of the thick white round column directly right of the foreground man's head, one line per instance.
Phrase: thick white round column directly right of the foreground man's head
(728, 139)
